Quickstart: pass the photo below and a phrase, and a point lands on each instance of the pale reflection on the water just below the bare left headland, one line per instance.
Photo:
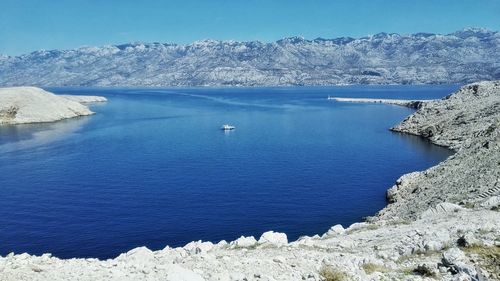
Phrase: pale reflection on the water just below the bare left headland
(18, 137)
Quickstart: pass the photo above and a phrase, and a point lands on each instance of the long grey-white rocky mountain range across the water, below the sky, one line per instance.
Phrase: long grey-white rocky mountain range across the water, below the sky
(460, 57)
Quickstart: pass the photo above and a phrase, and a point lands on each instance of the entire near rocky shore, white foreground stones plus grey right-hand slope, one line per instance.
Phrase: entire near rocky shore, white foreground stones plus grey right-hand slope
(443, 223)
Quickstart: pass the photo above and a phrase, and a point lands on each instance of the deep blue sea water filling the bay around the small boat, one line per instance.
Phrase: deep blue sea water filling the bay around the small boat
(153, 168)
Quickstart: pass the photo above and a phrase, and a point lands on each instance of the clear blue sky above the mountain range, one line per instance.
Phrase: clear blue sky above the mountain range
(28, 25)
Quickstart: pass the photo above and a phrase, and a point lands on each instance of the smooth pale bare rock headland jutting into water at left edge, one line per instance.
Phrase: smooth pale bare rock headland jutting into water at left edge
(20, 105)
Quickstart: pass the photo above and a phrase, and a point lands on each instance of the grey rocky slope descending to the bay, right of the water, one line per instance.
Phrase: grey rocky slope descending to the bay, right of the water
(467, 122)
